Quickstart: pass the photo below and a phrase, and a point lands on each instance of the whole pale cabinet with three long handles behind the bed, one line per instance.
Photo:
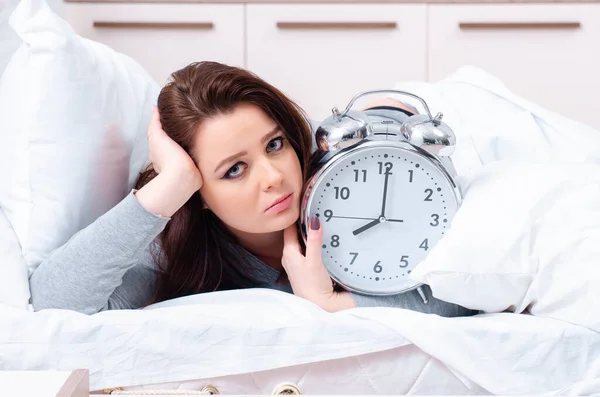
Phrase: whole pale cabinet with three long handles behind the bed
(321, 55)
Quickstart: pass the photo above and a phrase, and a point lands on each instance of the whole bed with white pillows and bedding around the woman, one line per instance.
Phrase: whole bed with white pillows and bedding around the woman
(522, 249)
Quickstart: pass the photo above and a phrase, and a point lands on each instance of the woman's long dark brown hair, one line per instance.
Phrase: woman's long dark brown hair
(198, 253)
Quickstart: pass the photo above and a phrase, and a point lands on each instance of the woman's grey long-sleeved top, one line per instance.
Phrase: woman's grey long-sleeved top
(108, 265)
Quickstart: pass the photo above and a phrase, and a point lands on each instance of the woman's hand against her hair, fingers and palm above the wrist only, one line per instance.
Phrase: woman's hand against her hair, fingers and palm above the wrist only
(168, 157)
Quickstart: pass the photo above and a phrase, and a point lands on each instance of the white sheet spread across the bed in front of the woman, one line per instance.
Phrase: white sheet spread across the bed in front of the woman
(219, 334)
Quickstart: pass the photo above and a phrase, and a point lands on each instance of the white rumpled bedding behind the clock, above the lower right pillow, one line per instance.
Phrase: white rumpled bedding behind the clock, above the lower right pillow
(492, 123)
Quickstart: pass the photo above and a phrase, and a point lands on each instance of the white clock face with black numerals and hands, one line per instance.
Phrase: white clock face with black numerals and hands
(382, 209)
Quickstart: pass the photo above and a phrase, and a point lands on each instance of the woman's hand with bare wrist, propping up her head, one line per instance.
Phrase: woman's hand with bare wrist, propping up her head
(178, 177)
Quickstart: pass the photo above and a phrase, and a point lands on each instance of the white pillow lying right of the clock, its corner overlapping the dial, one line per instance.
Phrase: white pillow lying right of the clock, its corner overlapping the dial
(527, 237)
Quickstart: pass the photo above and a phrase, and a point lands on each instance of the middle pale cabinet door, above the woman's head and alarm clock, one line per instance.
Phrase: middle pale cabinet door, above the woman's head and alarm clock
(322, 55)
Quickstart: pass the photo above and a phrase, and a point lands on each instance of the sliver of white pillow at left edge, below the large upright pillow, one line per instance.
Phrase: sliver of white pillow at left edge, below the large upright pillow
(14, 285)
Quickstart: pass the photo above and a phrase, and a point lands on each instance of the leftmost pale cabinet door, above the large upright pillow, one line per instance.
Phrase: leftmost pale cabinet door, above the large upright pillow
(164, 37)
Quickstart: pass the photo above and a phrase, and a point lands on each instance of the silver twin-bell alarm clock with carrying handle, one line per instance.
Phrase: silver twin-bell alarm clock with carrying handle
(385, 194)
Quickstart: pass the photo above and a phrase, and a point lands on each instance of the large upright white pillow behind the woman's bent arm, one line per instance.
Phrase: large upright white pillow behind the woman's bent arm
(73, 139)
